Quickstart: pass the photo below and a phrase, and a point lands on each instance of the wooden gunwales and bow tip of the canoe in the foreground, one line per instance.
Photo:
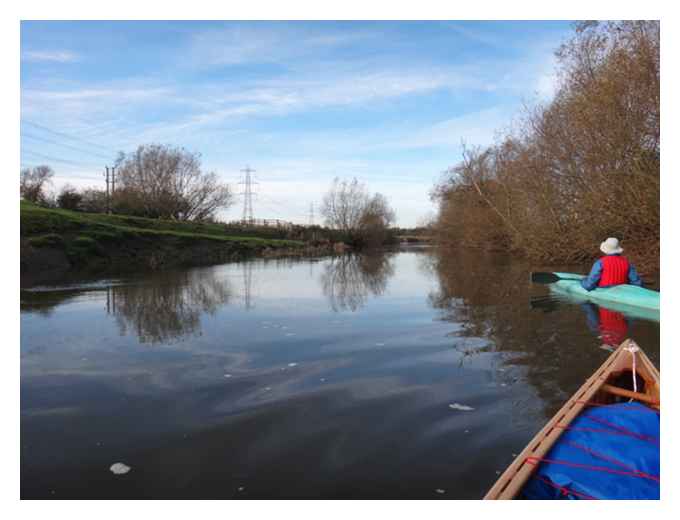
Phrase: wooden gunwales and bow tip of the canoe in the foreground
(516, 475)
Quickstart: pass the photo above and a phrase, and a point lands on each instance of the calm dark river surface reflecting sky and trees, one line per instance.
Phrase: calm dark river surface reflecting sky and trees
(328, 378)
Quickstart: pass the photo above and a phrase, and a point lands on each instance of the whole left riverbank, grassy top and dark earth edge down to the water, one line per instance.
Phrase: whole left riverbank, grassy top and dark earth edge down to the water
(55, 242)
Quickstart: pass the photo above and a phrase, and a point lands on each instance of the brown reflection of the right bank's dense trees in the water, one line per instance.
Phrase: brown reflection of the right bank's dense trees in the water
(488, 296)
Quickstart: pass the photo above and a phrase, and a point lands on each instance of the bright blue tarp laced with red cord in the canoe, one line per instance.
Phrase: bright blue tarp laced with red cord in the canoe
(608, 452)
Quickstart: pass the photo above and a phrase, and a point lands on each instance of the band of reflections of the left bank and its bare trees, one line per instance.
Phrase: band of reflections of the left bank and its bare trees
(167, 306)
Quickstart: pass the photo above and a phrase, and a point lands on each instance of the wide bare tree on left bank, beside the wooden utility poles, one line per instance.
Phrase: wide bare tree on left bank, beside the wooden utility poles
(166, 182)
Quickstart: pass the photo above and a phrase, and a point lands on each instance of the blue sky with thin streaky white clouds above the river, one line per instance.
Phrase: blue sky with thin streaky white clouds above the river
(300, 102)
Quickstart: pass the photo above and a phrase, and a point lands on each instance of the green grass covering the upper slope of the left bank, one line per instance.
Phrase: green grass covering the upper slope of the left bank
(54, 227)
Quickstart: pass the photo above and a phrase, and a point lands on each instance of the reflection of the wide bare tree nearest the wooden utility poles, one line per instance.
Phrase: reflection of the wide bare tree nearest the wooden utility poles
(169, 306)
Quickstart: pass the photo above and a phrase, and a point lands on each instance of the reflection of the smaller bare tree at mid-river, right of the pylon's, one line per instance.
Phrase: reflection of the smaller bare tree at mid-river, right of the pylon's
(348, 280)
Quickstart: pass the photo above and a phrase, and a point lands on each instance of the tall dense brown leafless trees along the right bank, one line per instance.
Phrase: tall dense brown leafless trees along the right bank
(573, 171)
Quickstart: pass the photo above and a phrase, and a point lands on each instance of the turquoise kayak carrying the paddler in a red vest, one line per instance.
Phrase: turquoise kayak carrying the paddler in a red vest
(623, 295)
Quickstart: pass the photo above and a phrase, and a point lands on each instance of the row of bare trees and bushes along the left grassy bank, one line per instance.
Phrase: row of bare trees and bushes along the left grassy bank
(158, 181)
